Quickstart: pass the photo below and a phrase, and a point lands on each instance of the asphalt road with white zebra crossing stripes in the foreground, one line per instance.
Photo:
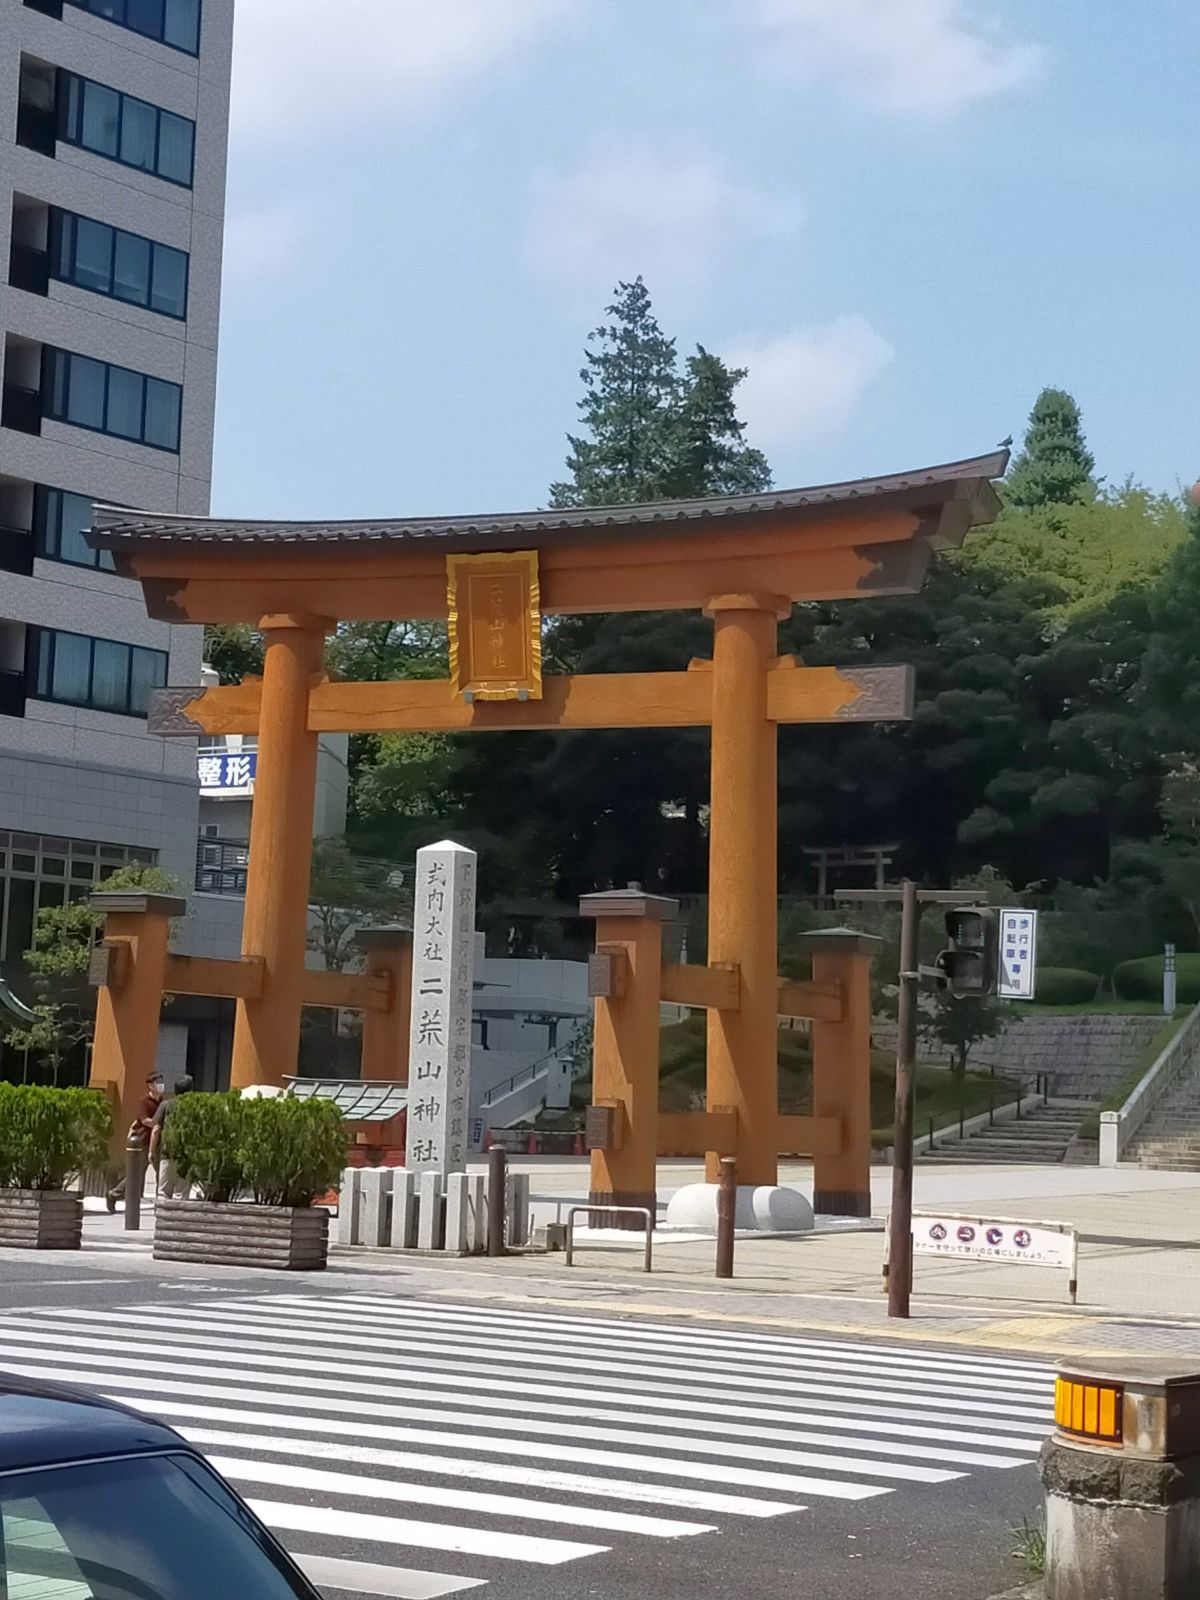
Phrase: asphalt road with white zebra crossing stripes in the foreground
(524, 1452)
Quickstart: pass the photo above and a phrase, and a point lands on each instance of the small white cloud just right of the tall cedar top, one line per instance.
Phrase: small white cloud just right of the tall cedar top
(806, 385)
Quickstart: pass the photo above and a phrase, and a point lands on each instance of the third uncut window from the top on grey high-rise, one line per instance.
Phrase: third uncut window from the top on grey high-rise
(110, 399)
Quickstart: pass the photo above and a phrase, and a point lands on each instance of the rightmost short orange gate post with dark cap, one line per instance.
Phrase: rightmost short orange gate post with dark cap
(842, 1070)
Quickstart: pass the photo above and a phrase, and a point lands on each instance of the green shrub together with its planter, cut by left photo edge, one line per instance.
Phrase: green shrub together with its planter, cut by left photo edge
(47, 1137)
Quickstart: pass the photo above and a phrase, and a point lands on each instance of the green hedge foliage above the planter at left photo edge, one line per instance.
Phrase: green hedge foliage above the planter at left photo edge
(50, 1135)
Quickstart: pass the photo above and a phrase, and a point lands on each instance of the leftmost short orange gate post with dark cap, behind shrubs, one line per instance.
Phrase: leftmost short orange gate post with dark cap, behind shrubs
(130, 966)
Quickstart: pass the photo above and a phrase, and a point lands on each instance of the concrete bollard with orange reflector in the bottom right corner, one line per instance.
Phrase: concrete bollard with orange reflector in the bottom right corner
(1122, 1481)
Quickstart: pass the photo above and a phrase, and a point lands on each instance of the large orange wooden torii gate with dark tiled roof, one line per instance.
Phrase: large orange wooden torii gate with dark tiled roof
(742, 561)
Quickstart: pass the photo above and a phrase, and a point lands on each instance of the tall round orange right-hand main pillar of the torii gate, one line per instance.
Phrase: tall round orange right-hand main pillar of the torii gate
(743, 1070)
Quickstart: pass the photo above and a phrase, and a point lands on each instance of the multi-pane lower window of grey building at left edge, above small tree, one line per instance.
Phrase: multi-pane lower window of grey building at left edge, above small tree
(41, 871)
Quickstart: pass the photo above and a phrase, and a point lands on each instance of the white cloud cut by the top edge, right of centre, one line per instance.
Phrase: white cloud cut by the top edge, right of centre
(918, 57)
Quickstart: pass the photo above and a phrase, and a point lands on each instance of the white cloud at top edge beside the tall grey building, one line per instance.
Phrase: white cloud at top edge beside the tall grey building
(305, 62)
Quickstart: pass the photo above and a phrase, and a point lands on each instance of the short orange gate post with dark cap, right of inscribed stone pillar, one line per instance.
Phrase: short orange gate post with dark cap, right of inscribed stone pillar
(626, 982)
